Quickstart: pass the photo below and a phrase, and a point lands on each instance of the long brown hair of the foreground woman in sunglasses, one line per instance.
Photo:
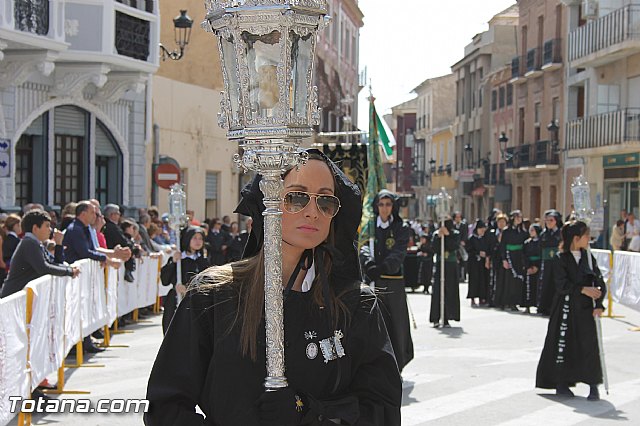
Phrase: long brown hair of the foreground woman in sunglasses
(246, 280)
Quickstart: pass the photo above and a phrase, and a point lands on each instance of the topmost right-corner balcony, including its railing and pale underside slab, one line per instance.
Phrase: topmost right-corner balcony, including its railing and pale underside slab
(607, 39)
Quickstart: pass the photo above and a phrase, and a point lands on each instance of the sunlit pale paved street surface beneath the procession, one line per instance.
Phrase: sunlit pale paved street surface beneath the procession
(480, 372)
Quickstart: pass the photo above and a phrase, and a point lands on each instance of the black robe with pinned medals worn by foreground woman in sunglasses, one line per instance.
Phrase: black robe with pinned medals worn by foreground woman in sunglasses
(201, 363)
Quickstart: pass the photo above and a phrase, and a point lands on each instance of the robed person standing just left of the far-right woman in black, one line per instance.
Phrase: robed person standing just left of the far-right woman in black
(549, 242)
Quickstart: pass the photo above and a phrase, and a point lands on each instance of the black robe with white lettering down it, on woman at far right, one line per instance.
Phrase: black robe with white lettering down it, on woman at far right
(580, 359)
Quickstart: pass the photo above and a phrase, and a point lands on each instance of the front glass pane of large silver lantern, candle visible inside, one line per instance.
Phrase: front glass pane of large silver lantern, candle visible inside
(263, 55)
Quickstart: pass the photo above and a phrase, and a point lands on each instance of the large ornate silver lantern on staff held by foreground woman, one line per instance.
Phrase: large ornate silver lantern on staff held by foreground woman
(269, 104)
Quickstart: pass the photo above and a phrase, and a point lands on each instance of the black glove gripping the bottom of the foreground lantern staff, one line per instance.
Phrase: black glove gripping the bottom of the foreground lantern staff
(283, 407)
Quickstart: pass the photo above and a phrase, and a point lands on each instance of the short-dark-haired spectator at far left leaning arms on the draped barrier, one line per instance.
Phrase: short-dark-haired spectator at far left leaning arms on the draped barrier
(30, 261)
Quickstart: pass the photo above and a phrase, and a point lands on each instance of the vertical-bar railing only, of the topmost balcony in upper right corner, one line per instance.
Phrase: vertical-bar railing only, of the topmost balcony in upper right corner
(614, 28)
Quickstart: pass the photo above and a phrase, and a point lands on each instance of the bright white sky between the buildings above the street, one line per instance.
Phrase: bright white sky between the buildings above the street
(418, 39)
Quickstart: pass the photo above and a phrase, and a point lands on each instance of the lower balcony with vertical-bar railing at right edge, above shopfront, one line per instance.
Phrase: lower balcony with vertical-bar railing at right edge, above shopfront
(604, 130)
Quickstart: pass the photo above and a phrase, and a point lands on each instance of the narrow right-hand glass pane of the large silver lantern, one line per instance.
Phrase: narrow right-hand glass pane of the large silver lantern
(301, 62)
